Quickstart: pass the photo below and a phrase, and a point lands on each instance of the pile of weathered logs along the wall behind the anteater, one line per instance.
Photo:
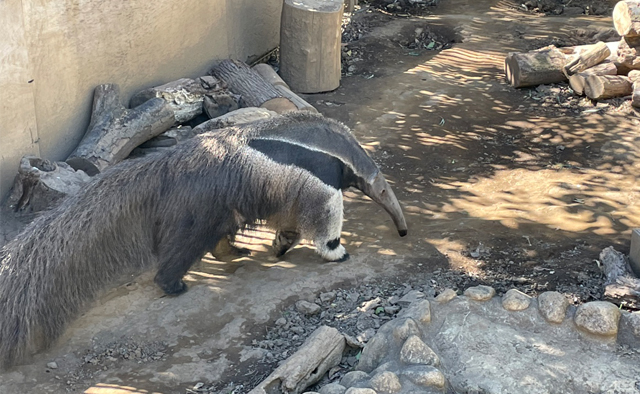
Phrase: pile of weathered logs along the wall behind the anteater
(156, 118)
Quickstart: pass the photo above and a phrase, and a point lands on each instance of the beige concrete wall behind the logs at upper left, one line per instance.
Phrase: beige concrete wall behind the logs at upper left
(54, 52)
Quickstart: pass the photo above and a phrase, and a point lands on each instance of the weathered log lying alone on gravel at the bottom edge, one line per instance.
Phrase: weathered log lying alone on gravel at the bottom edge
(320, 352)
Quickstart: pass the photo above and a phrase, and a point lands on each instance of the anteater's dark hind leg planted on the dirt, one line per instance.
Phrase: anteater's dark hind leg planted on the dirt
(181, 250)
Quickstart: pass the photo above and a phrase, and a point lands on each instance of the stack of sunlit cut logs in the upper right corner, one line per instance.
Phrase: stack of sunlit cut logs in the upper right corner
(599, 71)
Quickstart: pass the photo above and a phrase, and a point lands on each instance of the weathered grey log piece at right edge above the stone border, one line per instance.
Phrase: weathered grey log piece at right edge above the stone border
(622, 287)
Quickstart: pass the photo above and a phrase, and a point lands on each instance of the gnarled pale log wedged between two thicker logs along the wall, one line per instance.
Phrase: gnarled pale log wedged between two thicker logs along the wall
(185, 96)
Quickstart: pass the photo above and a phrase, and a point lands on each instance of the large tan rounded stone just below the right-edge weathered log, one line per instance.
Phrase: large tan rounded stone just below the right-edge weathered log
(598, 317)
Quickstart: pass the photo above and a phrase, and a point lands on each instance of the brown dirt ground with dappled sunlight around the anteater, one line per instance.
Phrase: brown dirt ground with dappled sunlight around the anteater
(503, 187)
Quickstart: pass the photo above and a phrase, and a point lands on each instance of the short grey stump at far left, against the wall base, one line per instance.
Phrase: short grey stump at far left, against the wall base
(41, 184)
